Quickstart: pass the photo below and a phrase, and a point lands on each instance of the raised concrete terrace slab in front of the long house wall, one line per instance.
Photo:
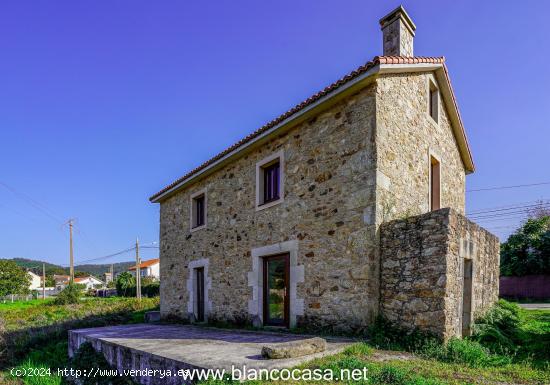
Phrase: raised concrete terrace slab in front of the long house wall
(146, 346)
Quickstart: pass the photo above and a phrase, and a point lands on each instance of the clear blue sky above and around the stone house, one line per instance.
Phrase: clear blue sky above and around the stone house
(102, 103)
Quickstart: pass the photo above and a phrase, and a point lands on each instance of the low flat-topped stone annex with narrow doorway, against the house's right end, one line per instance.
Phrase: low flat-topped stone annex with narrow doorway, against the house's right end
(422, 271)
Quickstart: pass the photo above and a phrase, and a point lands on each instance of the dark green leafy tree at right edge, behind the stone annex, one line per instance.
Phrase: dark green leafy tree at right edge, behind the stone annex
(527, 251)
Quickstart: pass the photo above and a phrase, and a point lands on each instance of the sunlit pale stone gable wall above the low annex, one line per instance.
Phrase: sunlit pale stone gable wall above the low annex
(406, 136)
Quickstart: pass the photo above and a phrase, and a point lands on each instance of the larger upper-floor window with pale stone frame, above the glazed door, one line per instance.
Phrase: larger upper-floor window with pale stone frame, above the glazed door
(270, 181)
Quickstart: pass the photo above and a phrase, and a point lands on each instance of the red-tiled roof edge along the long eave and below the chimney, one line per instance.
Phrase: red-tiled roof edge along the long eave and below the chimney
(312, 99)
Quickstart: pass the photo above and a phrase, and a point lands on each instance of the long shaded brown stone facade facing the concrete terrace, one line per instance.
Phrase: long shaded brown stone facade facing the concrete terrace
(327, 213)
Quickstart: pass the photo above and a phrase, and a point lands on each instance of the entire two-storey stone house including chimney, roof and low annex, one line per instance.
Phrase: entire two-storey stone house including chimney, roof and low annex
(349, 205)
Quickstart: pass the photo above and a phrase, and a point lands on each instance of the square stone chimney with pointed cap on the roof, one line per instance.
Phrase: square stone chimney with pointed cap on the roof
(397, 33)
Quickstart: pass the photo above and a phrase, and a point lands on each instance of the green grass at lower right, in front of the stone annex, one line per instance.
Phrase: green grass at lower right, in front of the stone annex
(485, 358)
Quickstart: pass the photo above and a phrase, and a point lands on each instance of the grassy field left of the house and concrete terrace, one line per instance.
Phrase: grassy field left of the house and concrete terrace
(35, 332)
